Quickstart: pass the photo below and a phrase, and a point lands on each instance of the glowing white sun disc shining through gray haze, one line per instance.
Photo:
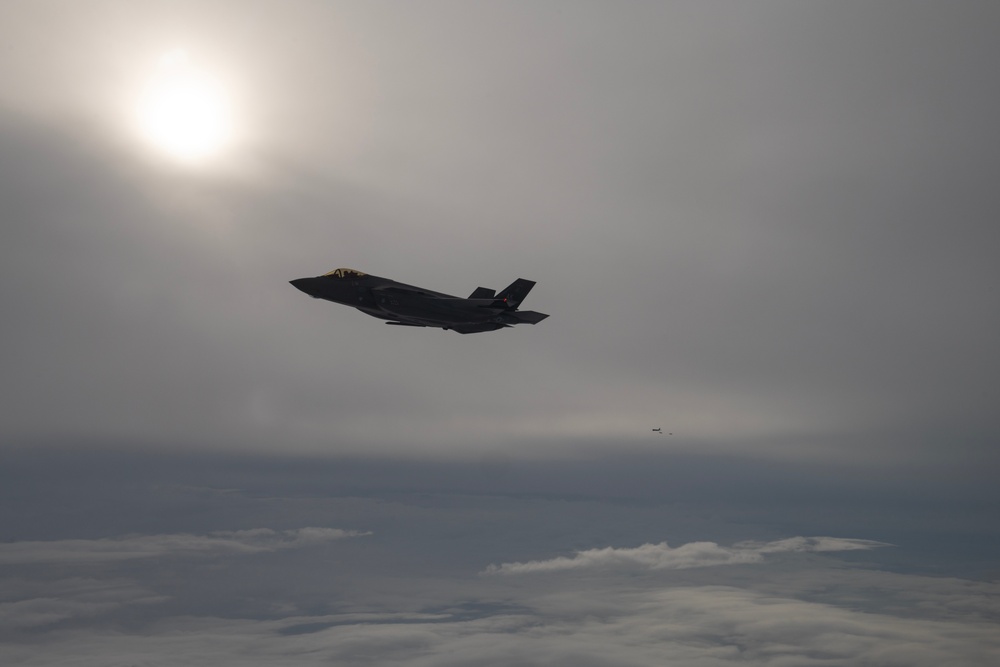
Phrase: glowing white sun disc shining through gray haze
(183, 110)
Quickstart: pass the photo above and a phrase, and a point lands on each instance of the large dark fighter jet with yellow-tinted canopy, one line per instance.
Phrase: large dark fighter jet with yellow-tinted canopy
(409, 306)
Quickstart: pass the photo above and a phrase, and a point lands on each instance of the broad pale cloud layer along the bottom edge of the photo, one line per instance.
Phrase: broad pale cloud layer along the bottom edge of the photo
(690, 625)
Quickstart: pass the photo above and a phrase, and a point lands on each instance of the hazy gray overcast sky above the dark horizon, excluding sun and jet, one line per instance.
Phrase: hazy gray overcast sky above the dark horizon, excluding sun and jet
(766, 221)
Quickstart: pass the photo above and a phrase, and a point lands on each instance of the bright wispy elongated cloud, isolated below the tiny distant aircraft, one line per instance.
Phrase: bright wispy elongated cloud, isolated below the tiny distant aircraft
(694, 554)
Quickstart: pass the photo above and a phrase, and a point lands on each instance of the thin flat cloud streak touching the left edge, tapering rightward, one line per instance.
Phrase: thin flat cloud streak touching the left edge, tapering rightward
(181, 544)
